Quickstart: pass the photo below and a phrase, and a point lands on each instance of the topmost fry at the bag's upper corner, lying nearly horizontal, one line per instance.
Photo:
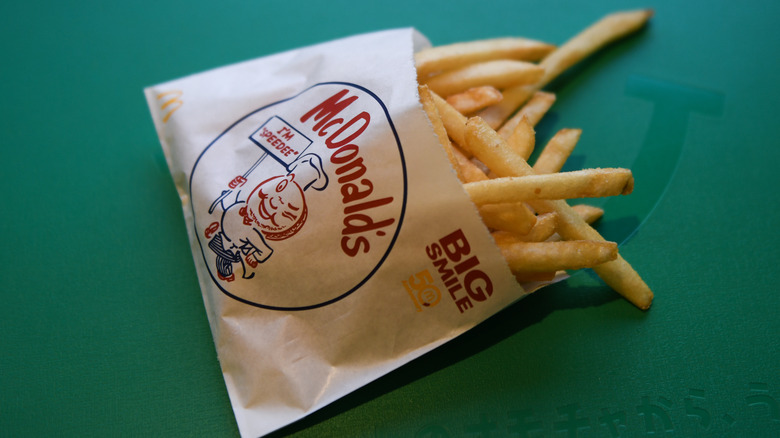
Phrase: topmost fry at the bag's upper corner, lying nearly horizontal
(453, 56)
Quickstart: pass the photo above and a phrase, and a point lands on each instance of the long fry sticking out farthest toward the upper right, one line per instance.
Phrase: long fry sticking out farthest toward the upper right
(610, 28)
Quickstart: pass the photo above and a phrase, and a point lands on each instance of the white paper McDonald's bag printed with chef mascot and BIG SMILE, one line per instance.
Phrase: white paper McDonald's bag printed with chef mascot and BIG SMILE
(332, 239)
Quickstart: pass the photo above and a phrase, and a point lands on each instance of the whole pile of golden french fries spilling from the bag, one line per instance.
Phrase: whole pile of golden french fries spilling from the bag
(483, 99)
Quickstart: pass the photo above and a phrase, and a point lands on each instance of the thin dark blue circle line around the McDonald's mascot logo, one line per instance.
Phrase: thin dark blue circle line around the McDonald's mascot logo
(392, 241)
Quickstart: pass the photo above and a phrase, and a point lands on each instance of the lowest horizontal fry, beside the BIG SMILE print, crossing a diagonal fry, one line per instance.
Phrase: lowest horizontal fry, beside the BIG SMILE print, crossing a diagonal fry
(556, 256)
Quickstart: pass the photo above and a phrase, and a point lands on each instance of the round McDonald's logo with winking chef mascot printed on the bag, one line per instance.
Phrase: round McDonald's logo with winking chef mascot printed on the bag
(297, 204)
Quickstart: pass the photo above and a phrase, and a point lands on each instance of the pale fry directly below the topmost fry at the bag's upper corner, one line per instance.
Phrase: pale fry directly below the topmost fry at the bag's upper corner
(499, 74)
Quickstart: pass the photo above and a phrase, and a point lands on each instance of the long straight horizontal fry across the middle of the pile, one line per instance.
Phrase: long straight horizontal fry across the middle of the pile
(588, 183)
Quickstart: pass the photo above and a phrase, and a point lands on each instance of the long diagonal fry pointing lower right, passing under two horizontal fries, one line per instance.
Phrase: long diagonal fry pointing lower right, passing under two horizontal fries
(485, 143)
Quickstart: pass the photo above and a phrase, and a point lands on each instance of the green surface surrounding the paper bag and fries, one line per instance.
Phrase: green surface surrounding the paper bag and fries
(103, 327)
